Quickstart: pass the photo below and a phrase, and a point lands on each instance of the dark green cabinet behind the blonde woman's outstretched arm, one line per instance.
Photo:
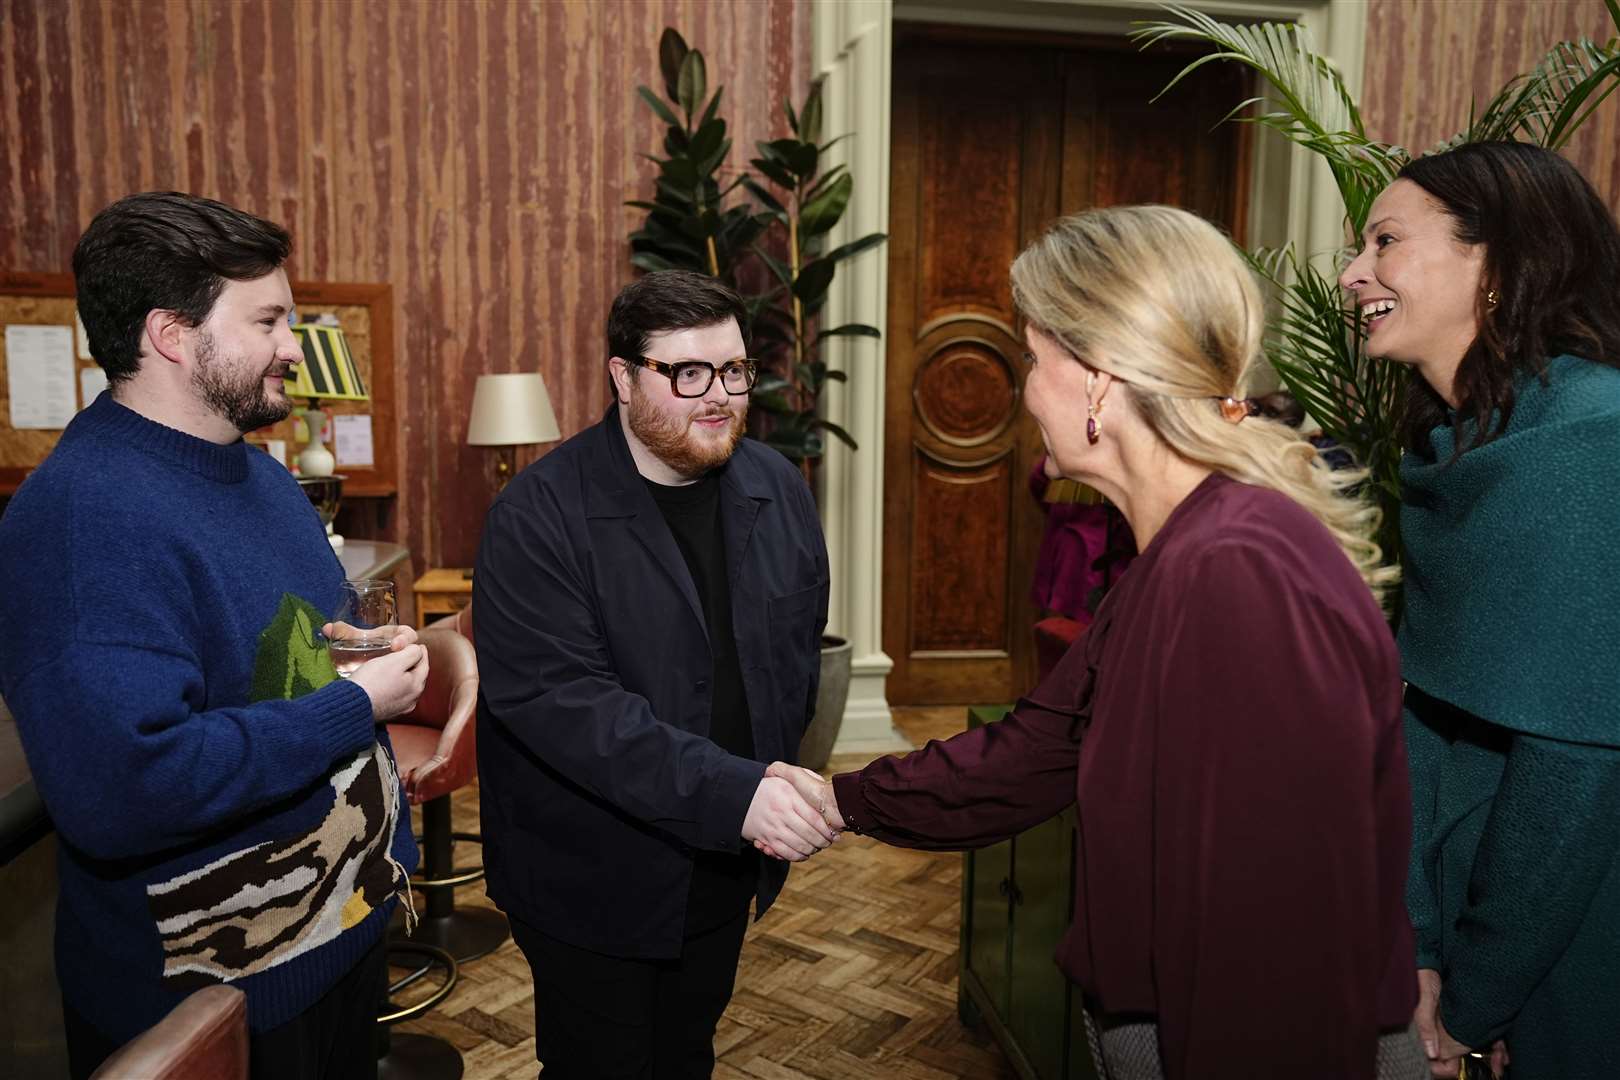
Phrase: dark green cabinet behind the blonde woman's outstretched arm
(1017, 904)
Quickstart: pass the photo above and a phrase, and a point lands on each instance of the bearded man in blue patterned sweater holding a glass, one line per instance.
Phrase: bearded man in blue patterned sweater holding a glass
(224, 806)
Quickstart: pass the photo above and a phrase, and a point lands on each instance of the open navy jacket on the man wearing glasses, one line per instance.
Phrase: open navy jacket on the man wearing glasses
(597, 776)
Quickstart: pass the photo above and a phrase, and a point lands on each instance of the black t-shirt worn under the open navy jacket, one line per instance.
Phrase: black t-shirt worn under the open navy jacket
(722, 883)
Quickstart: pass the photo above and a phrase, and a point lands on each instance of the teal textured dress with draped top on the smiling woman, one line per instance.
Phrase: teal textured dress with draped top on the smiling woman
(1511, 645)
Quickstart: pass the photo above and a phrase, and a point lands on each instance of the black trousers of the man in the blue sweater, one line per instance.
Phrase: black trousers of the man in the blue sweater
(331, 1040)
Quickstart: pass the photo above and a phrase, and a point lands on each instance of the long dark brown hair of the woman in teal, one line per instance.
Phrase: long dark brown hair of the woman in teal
(1553, 257)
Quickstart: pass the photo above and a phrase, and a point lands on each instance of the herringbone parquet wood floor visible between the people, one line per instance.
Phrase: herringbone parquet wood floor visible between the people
(850, 976)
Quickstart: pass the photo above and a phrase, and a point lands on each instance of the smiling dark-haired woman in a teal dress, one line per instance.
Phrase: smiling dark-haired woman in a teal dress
(1494, 271)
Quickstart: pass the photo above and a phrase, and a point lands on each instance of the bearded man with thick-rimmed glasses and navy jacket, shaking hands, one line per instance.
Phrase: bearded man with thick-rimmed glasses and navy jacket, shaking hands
(649, 608)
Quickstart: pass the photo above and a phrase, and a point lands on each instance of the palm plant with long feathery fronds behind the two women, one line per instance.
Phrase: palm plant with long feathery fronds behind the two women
(1316, 339)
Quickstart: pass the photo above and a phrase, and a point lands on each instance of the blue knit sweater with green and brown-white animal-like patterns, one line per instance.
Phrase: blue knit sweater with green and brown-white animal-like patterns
(226, 812)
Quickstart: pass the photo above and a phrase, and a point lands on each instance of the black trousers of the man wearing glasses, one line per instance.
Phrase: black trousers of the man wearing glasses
(613, 1019)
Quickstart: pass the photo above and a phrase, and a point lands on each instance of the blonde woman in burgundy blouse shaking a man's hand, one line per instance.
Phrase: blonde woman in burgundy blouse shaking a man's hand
(1232, 721)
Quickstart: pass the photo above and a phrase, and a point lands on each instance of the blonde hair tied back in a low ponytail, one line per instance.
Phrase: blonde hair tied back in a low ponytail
(1159, 299)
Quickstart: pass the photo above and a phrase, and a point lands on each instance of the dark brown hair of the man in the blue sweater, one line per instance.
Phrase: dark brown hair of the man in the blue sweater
(164, 252)
